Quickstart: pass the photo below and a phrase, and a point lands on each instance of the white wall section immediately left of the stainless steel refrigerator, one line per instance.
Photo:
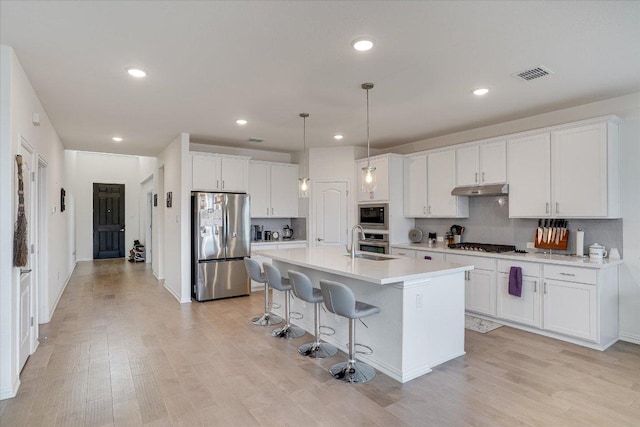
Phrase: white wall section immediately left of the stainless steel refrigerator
(174, 161)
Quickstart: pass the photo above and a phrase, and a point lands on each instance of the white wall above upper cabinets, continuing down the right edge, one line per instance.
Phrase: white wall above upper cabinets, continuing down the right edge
(627, 108)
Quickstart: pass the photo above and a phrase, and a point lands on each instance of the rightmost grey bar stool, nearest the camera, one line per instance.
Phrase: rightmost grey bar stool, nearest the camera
(340, 300)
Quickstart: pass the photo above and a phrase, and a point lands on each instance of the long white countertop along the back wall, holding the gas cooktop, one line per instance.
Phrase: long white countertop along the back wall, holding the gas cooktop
(571, 260)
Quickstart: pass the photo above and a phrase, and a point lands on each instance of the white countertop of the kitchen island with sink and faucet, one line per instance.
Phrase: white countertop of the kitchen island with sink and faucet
(337, 261)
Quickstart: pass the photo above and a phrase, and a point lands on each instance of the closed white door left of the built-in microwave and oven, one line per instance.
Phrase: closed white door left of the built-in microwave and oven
(330, 201)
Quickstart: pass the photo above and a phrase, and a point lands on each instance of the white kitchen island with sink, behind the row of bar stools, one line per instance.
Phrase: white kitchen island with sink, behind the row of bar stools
(421, 319)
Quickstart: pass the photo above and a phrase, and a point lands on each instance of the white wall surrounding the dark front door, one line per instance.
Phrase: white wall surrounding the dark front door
(105, 169)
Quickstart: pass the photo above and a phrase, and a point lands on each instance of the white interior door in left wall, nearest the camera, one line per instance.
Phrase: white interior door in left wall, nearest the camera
(27, 273)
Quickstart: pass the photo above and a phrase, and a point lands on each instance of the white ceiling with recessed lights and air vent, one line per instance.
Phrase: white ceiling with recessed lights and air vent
(212, 62)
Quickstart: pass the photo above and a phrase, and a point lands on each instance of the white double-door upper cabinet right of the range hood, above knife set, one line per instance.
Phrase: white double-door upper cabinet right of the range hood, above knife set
(566, 173)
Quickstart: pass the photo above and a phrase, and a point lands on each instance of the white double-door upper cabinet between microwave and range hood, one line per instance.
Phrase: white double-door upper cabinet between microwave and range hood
(429, 179)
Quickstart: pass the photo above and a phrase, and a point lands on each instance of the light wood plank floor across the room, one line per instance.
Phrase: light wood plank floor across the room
(120, 350)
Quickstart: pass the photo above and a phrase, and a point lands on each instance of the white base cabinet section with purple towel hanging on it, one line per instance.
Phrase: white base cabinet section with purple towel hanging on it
(527, 308)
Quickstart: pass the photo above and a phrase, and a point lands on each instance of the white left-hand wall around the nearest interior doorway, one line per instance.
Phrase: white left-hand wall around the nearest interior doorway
(18, 101)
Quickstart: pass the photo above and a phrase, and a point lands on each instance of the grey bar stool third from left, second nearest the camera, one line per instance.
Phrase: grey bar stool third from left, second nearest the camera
(303, 289)
